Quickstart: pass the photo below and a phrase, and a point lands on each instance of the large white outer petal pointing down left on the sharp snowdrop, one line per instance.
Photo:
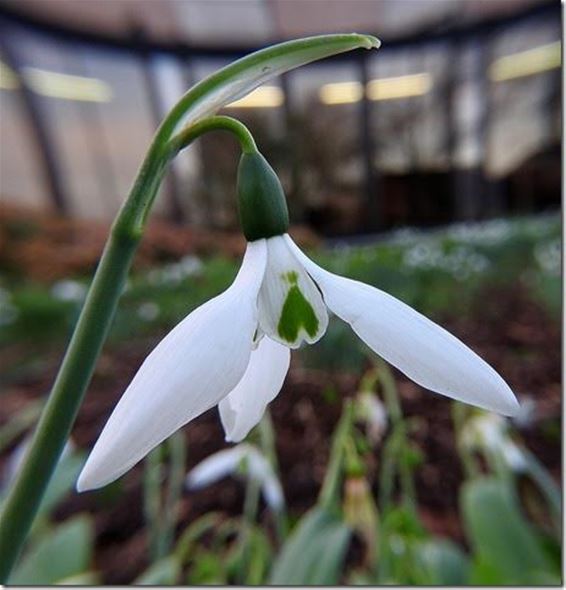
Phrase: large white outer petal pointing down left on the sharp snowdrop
(197, 364)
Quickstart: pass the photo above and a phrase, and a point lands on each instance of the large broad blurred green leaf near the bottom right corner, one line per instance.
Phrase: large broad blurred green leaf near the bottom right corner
(503, 541)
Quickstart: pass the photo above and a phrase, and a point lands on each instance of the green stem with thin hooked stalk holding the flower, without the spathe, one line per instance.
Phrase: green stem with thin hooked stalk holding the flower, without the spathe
(84, 348)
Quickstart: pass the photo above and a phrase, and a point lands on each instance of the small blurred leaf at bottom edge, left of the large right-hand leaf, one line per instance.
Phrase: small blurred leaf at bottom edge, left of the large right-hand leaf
(443, 563)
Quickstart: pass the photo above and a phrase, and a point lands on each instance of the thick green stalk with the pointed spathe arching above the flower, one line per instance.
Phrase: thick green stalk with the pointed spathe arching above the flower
(200, 102)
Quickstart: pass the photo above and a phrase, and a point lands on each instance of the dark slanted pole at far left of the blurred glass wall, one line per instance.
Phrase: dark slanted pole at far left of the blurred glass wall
(40, 129)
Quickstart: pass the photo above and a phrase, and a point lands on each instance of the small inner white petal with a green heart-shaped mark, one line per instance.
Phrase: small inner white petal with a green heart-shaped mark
(291, 308)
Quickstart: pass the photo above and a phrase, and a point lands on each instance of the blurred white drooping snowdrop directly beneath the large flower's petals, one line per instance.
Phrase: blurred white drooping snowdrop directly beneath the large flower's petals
(242, 460)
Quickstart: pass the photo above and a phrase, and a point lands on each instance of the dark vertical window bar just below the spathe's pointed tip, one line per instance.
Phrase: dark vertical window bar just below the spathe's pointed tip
(370, 189)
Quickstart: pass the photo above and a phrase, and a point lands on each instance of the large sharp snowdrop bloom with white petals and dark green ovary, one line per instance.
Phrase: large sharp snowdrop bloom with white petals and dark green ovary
(234, 350)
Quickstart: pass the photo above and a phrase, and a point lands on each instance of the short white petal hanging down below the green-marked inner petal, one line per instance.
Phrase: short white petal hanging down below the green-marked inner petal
(244, 406)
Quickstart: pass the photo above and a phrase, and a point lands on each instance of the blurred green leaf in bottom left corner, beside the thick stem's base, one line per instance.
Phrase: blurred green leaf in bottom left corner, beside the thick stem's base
(64, 552)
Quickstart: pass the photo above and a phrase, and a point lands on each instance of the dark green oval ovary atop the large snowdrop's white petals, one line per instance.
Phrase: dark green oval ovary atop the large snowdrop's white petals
(261, 200)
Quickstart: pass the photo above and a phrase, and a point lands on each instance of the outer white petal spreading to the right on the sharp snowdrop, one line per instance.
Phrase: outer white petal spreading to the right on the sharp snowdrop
(421, 349)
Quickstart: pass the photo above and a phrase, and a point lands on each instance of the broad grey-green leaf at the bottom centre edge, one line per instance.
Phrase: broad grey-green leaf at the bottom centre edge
(314, 553)
